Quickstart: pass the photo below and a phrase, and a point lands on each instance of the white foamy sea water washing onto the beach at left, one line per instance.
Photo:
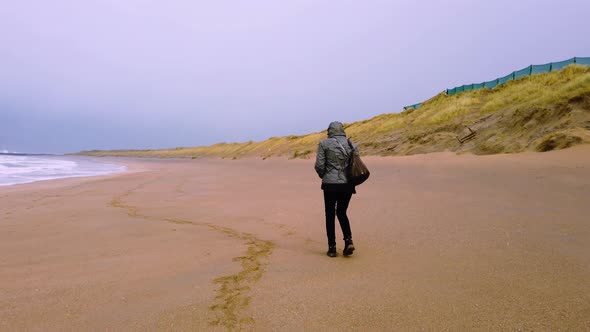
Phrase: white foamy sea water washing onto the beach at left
(22, 168)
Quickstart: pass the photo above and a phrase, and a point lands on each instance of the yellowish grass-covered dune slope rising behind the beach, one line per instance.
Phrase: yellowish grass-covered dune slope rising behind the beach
(534, 113)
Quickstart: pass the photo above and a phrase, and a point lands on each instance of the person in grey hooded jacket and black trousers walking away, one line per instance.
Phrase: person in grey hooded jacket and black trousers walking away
(331, 163)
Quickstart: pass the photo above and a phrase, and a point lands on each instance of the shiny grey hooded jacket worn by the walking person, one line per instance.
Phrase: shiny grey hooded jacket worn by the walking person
(332, 156)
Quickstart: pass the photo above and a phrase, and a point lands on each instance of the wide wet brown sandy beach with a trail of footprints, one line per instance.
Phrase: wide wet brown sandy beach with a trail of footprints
(444, 242)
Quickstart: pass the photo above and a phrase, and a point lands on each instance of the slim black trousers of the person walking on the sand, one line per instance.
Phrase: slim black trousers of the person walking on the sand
(336, 204)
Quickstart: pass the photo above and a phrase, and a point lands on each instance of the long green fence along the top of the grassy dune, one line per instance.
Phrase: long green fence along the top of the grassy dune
(530, 70)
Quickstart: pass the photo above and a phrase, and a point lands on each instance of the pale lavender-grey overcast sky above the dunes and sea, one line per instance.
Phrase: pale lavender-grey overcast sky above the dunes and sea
(107, 74)
